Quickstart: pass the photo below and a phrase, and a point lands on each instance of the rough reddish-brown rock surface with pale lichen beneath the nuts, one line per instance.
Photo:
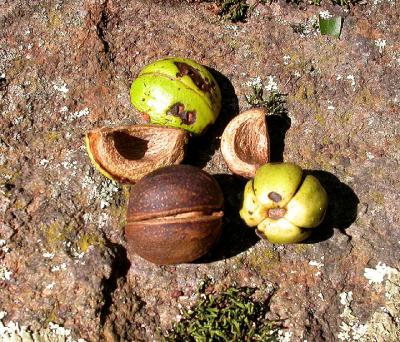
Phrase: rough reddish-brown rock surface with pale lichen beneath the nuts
(66, 67)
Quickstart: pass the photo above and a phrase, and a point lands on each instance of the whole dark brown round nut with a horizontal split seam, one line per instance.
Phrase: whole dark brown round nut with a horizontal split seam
(174, 215)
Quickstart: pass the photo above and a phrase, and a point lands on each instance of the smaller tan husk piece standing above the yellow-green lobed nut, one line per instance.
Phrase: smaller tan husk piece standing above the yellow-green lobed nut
(245, 142)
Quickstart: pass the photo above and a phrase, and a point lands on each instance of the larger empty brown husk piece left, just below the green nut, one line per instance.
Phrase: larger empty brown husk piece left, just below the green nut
(128, 153)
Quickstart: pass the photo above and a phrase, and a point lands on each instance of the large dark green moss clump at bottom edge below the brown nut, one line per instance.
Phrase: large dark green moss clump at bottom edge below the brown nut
(232, 315)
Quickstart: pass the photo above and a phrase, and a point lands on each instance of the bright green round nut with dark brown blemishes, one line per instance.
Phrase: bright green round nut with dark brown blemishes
(177, 92)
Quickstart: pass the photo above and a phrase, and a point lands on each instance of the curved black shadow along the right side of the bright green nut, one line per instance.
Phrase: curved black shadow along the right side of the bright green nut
(200, 149)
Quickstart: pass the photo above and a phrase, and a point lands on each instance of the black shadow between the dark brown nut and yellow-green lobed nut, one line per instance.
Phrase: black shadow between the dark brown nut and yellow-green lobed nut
(236, 236)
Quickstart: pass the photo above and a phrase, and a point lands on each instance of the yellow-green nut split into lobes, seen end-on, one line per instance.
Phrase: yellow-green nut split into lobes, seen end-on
(283, 204)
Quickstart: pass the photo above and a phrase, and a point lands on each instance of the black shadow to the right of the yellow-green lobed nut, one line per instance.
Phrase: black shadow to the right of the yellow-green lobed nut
(342, 207)
